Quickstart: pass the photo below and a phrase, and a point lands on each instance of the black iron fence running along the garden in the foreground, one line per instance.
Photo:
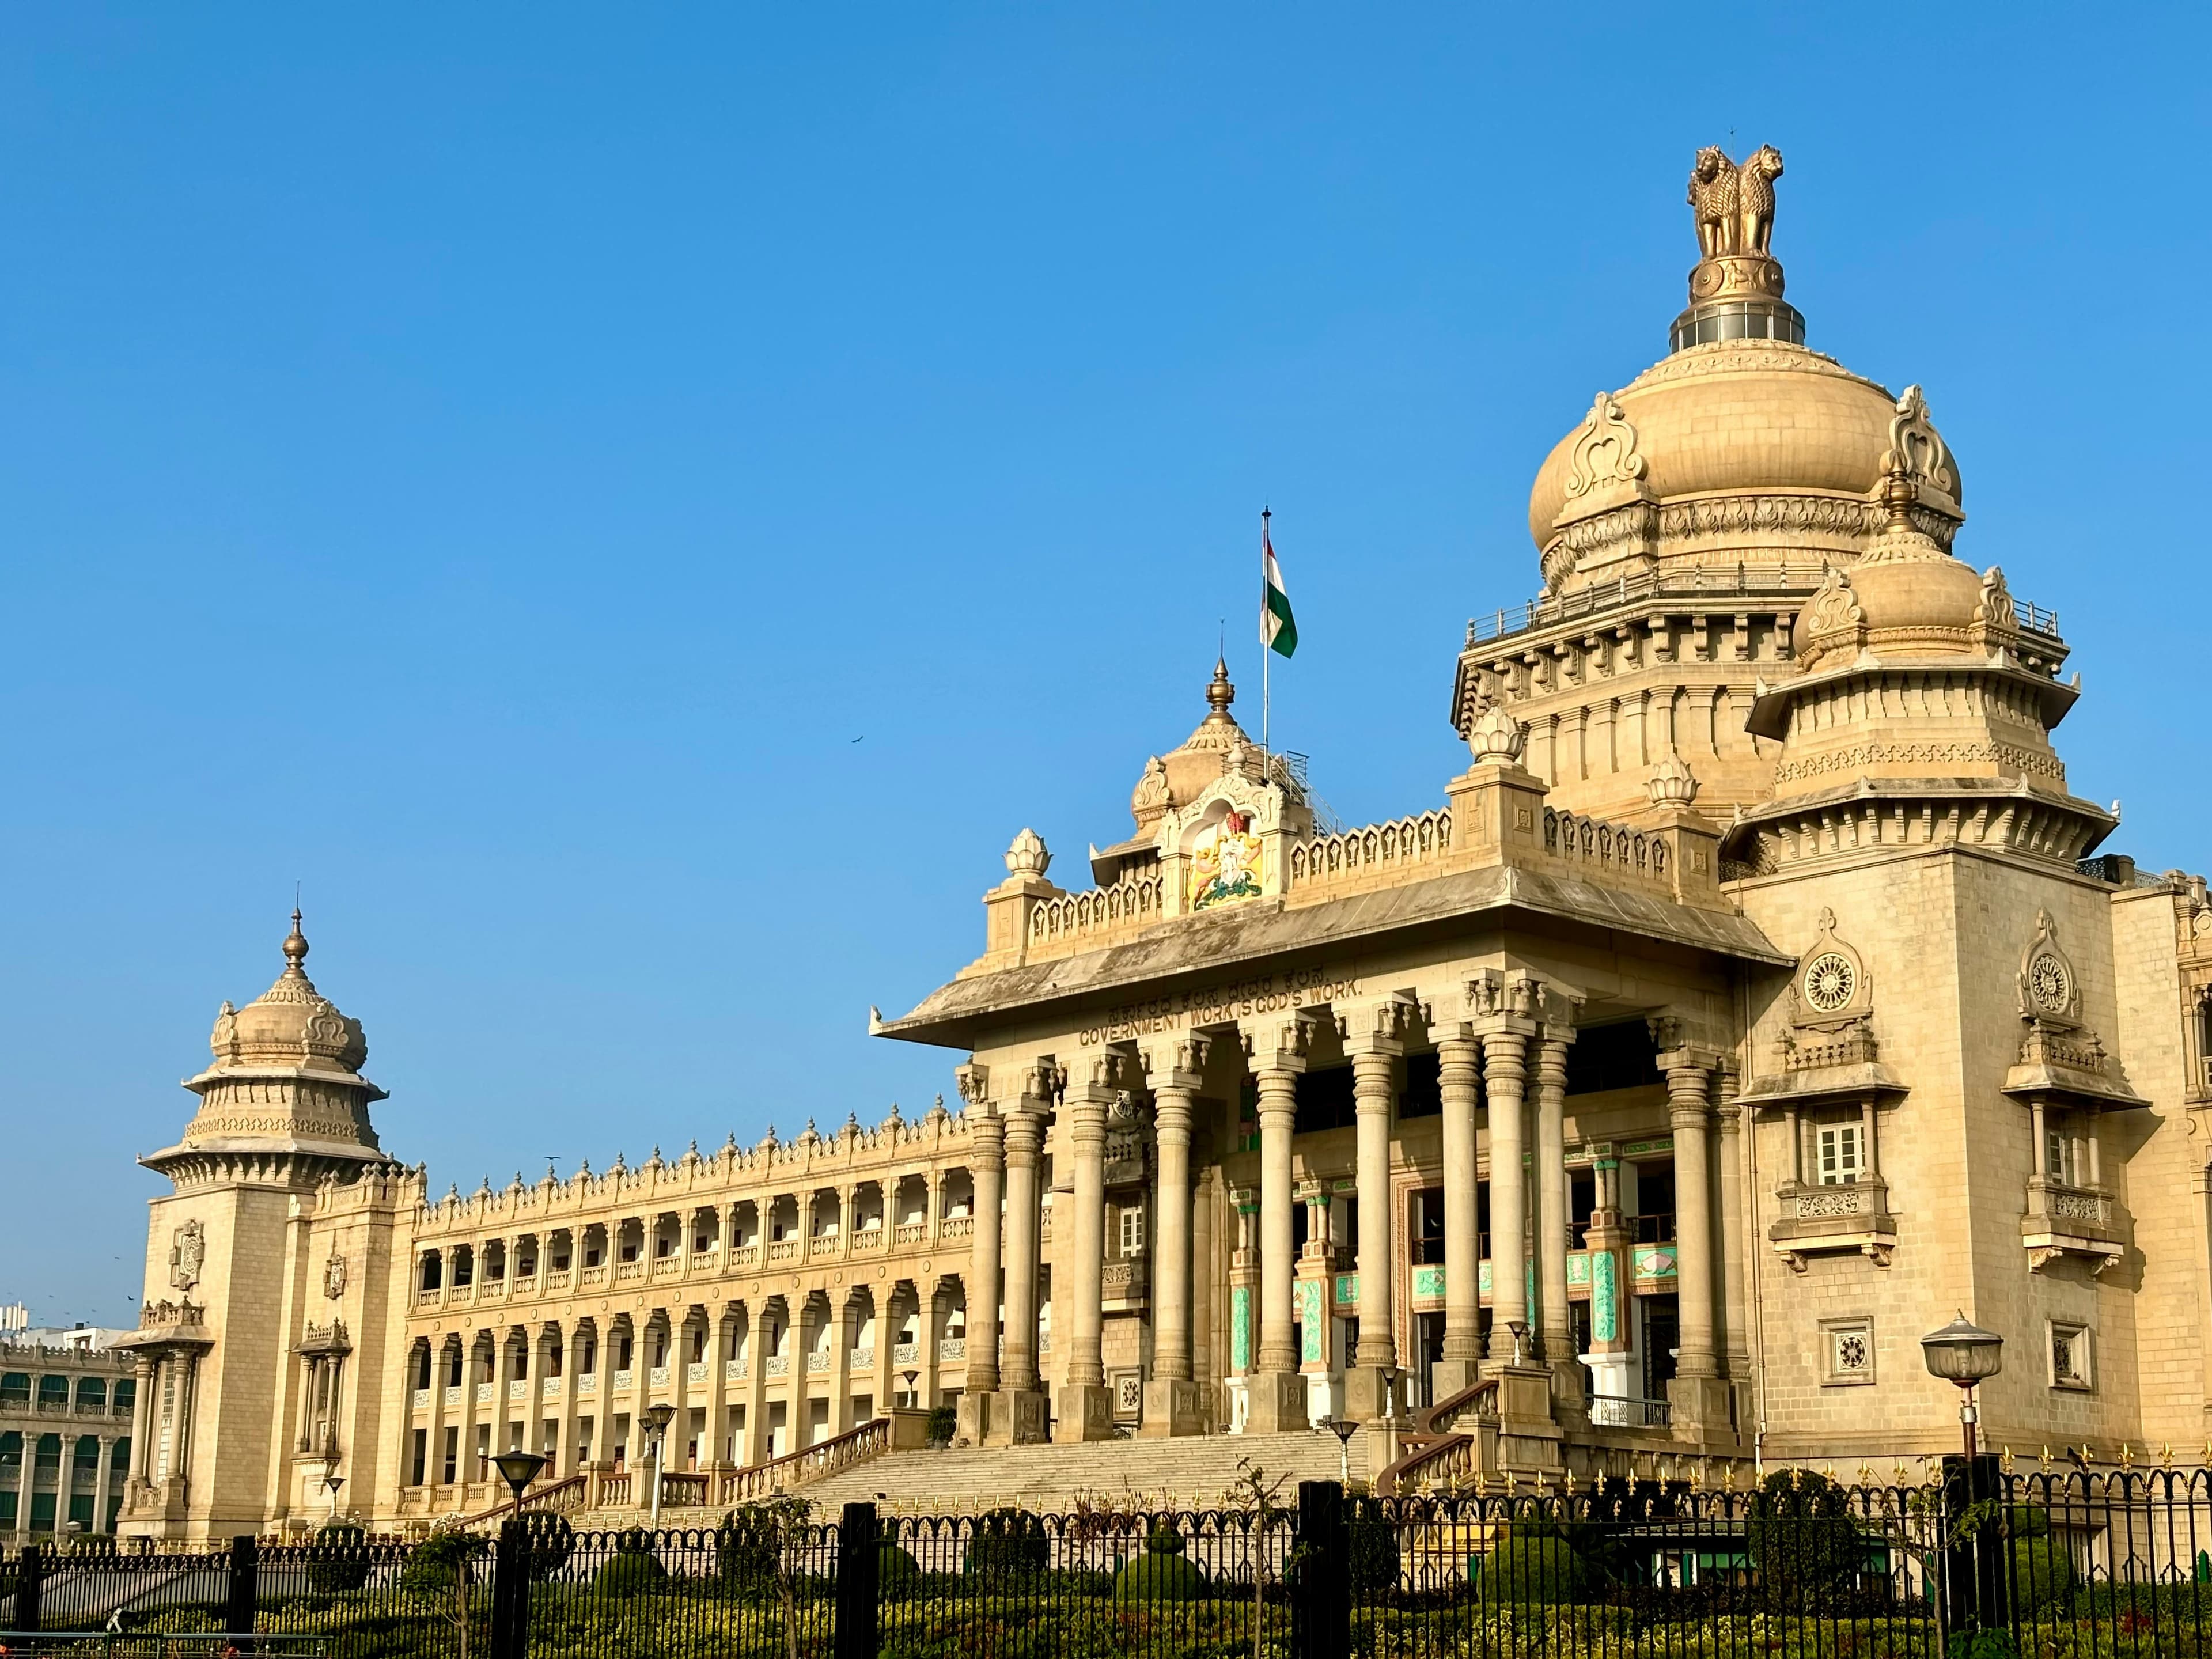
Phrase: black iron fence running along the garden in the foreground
(1972, 1565)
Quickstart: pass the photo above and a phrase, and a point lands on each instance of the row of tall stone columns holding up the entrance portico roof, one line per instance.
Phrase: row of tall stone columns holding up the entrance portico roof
(1505, 1058)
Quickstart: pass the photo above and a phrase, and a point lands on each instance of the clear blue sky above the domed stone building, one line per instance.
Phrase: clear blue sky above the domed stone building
(492, 463)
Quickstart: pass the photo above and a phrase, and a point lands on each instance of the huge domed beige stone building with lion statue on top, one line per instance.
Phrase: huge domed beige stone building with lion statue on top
(1755, 999)
